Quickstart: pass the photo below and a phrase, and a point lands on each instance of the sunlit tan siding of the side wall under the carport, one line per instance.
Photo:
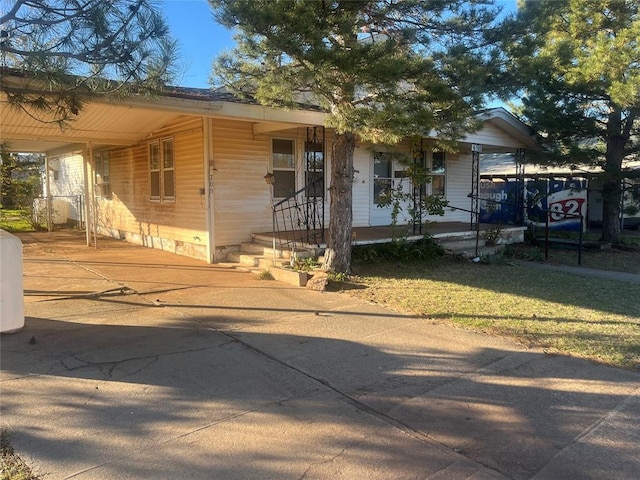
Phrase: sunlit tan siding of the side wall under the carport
(178, 226)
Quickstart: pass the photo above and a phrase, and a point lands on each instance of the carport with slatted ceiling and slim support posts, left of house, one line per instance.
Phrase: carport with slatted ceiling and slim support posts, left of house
(103, 122)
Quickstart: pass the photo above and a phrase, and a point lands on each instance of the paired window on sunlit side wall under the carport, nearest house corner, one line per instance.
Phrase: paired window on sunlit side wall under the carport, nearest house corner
(162, 171)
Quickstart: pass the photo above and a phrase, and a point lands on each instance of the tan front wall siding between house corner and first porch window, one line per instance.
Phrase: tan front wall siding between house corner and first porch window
(241, 195)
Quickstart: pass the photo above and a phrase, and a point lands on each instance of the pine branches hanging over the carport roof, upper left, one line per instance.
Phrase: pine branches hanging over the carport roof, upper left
(73, 49)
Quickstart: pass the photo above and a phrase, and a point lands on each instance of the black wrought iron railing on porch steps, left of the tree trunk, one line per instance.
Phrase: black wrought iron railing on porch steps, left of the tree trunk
(299, 218)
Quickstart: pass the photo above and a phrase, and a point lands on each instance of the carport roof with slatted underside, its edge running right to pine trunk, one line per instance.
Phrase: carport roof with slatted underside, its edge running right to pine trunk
(107, 121)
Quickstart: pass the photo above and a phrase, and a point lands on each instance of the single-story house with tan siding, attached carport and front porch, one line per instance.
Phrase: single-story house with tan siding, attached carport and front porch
(185, 171)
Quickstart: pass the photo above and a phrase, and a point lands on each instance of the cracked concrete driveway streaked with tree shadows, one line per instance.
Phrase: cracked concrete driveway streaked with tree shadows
(139, 364)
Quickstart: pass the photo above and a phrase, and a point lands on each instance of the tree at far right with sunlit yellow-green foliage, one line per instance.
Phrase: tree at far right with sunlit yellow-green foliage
(577, 63)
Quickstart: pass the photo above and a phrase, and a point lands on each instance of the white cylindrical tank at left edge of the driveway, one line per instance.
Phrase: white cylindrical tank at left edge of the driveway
(11, 293)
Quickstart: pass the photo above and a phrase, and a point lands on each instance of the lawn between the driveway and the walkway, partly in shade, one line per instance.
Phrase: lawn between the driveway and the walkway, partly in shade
(590, 318)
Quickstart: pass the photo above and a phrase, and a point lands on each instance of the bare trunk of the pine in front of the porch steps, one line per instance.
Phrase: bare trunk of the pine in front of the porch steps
(338, 252)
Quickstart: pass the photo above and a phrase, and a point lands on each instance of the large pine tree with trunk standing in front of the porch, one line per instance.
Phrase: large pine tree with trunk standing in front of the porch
(382, 69)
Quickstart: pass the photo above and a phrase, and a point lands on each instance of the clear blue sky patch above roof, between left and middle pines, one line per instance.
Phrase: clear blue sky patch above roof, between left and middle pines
(201, 39)
